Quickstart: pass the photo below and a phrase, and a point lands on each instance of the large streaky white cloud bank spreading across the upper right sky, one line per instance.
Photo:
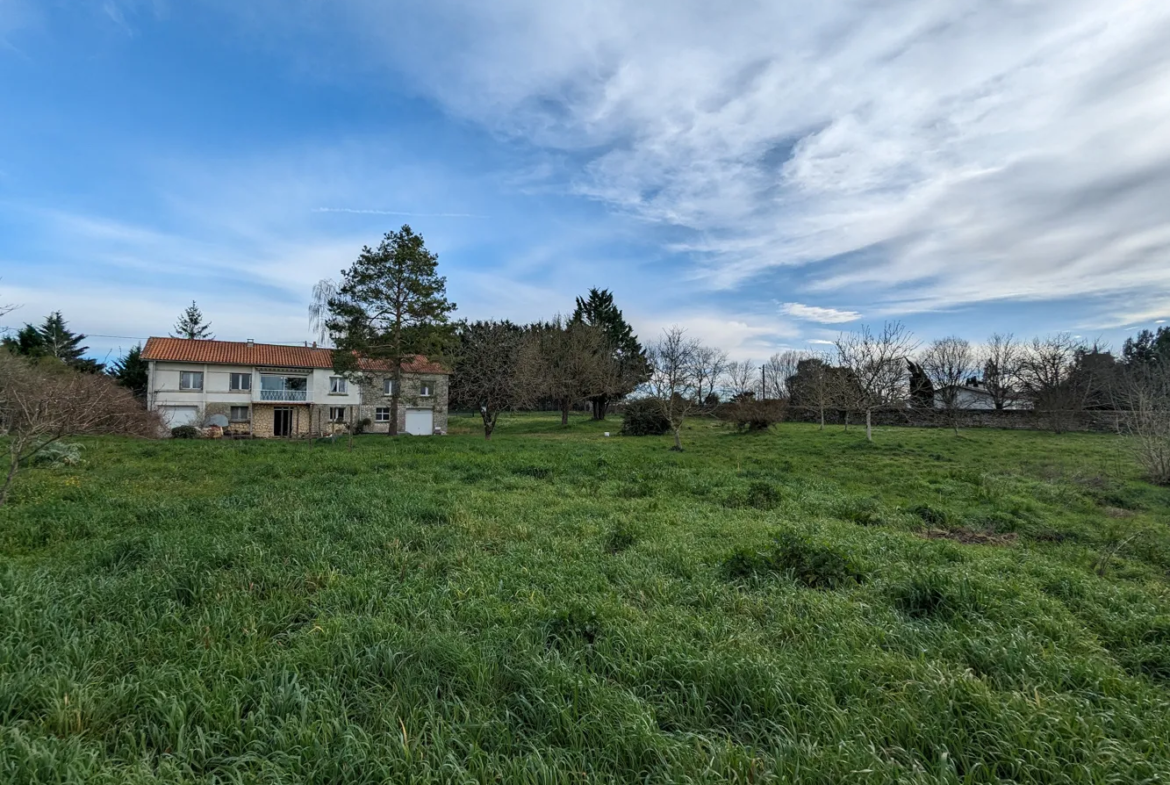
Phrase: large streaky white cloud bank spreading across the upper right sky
(974, 150)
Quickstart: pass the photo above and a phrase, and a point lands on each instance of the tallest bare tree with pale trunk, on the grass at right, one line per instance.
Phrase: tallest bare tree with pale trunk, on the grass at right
(877, 363)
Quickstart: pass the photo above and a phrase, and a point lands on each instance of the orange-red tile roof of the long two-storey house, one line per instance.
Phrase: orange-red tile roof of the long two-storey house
(235, 353)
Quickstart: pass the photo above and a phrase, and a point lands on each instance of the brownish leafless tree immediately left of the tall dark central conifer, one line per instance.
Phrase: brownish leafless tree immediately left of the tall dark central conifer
(566, 360)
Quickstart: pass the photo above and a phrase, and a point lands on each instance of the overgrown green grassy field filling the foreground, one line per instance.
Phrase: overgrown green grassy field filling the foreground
(559, 607)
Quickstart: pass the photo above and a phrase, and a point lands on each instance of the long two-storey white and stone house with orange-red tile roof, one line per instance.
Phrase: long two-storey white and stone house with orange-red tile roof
(271, 390)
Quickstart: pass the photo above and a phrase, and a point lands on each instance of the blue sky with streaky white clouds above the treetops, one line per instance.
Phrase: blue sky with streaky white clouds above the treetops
(765, 175)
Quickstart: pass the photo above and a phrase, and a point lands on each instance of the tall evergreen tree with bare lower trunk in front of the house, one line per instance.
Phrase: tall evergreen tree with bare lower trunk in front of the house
(391, 306)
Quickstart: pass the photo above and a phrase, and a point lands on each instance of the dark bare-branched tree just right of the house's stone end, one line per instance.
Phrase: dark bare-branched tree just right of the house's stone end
(491, 371)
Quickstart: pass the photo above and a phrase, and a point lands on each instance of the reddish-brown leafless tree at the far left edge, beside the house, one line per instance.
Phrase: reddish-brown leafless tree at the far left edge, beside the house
(43, 404)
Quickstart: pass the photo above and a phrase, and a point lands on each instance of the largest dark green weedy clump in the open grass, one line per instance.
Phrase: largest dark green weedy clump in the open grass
(808, 562)
